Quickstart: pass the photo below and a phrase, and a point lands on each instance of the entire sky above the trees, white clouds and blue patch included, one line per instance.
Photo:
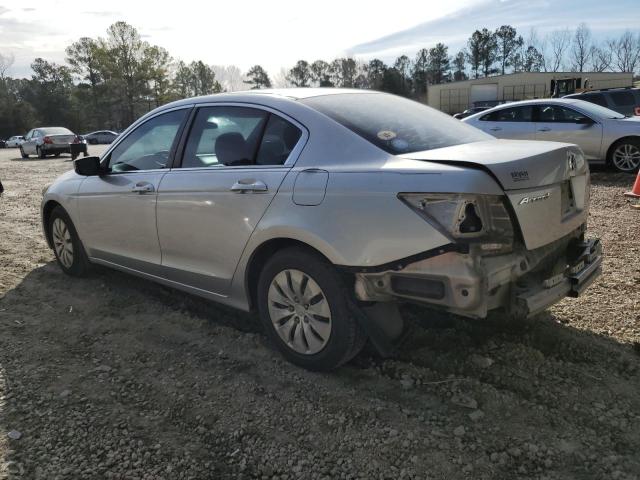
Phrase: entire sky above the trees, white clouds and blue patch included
(275, 34)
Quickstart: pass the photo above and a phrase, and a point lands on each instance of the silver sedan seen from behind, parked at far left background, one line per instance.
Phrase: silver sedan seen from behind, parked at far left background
(45, 141)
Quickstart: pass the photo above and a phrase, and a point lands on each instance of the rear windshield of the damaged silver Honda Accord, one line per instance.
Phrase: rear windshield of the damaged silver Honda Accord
(395, 124)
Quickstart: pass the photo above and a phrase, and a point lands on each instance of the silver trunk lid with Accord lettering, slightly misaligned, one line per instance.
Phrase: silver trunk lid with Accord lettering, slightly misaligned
(546, 183)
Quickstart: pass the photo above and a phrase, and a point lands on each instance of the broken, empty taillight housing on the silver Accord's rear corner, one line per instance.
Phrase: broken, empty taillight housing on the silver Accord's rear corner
(466, 218)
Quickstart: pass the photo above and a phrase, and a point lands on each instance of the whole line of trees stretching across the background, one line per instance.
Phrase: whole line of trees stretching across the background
(107, 82)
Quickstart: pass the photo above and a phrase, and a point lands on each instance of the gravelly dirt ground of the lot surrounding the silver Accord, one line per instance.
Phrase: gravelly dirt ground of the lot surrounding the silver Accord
(116, 377)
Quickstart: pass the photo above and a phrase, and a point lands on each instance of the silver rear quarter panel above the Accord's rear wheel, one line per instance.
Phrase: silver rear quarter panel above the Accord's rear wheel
(361, 222)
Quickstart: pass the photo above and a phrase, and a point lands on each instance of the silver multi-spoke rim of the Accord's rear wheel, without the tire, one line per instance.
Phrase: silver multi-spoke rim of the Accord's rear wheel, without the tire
(299, 311)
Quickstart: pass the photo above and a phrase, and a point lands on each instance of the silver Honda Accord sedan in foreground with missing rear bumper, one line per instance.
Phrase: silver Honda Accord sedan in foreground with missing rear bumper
(324, 208)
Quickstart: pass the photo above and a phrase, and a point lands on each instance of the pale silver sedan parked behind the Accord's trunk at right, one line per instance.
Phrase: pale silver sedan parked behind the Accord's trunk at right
(602, 134)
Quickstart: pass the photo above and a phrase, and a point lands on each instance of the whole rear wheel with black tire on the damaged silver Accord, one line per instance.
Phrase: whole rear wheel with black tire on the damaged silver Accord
(317, 332)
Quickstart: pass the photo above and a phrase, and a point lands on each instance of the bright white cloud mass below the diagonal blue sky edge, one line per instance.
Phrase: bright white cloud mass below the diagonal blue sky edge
(273, 34)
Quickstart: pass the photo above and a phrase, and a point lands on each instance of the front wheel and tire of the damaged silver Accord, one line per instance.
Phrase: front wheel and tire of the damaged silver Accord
(67, 247)
